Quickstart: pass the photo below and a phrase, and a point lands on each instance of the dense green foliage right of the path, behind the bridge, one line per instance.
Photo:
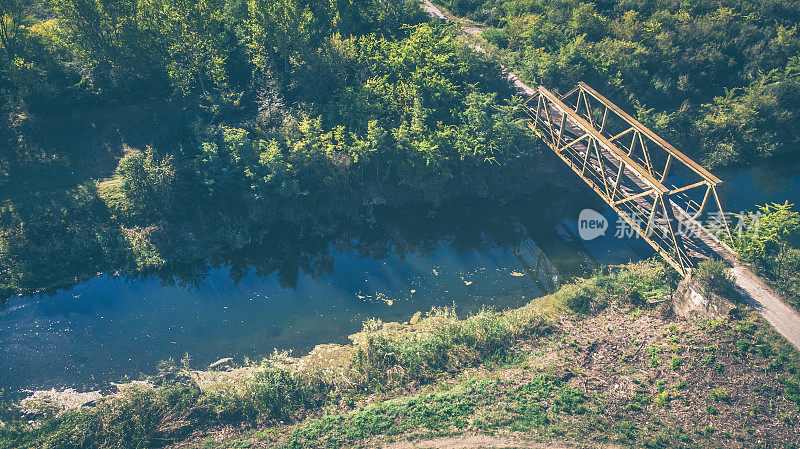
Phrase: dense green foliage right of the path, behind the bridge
(719, 76)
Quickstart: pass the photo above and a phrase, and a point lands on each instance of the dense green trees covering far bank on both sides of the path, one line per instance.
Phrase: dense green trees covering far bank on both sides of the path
(148, 133)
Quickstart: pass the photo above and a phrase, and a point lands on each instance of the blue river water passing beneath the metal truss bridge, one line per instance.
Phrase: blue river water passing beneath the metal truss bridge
(294, 291)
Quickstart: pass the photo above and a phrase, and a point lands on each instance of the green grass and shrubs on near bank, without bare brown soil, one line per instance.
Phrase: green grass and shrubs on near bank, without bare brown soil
(392, 360)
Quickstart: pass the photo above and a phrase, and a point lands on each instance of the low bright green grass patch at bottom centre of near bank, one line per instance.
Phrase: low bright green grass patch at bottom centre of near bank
(537, 404)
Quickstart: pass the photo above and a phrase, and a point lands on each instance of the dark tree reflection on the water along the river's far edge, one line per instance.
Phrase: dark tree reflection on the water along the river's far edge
(307, 249)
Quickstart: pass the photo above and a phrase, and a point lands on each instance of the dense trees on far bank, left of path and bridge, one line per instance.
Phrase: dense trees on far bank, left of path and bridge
(291, 112)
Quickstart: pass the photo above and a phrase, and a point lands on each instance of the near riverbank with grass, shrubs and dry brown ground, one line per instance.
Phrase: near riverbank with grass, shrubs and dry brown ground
(601, 362)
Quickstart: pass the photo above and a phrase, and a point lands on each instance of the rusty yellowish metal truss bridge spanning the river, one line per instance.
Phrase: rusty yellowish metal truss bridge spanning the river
(661, 212)
